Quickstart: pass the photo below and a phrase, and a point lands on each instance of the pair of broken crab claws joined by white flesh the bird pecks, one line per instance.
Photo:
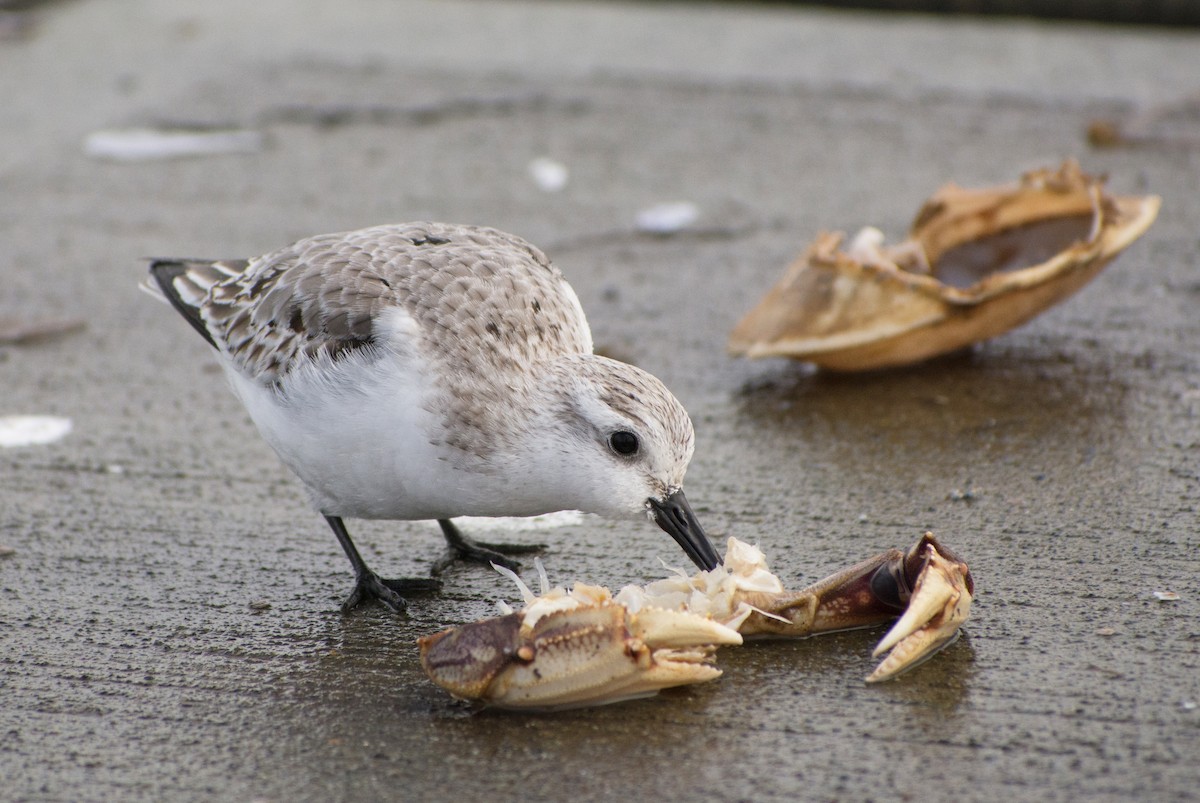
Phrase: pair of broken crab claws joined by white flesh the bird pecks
(587, 648)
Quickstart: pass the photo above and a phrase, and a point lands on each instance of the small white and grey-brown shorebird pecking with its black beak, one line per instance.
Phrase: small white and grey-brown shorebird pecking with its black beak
(431, 371)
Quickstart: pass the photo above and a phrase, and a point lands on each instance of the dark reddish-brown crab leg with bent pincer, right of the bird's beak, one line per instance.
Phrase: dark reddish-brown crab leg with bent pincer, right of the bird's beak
(927, 588)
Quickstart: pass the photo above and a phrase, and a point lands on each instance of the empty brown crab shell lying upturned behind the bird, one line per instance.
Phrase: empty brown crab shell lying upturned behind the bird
(977, 263)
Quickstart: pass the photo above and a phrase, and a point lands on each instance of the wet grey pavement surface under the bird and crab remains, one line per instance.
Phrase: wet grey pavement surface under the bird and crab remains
(169, 604)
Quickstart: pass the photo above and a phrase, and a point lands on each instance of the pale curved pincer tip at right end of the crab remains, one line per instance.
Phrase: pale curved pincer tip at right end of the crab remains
(940, 604)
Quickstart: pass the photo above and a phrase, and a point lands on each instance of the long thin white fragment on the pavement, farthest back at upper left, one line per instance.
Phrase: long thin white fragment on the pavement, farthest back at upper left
(148, 145)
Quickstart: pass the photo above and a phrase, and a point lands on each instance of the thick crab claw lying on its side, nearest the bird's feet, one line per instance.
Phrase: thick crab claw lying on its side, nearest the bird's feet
(585, 656)
